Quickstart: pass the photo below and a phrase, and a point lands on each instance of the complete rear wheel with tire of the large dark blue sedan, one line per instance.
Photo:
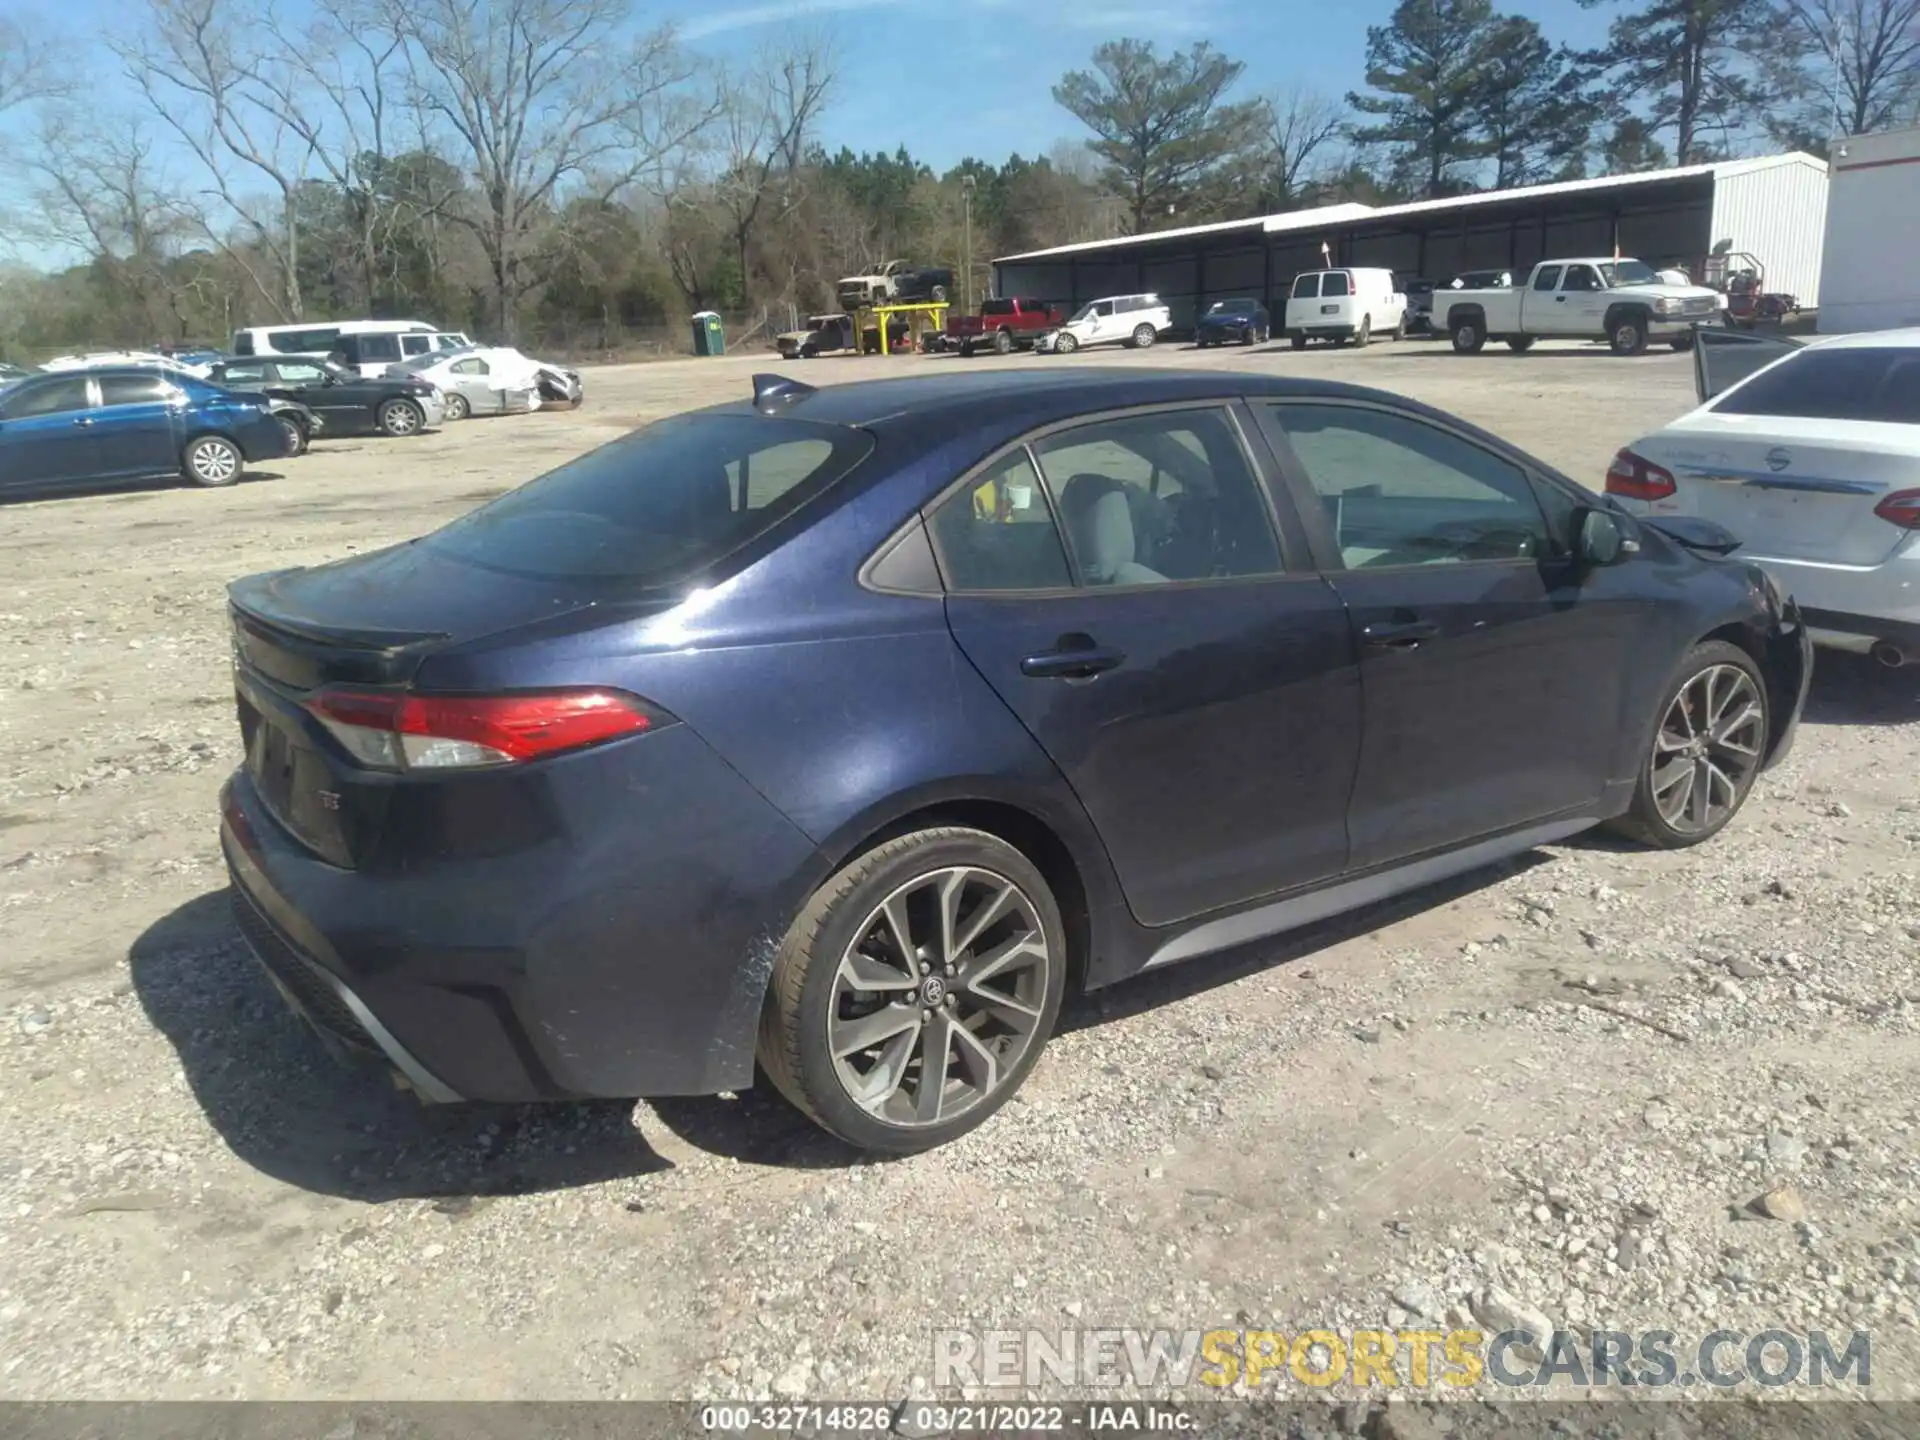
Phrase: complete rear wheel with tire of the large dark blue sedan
(917, 990)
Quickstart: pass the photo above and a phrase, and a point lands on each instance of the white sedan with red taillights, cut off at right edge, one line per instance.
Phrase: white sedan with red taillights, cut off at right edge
(1810, 454)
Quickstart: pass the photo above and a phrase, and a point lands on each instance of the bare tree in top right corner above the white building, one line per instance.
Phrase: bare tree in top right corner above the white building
(1863, 59)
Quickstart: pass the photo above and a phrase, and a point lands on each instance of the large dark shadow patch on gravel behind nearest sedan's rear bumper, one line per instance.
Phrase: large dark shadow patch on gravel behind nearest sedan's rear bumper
(285, 1107)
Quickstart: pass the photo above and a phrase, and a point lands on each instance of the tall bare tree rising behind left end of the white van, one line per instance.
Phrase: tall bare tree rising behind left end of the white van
(203, 72)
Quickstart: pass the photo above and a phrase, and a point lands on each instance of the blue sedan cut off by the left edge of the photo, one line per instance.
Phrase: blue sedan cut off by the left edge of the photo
(114, 425)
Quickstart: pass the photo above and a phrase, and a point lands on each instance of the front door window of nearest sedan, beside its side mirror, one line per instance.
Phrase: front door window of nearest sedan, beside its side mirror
(1404, 492)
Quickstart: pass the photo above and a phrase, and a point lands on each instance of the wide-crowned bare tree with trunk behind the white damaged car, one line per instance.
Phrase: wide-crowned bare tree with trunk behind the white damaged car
(539, 97)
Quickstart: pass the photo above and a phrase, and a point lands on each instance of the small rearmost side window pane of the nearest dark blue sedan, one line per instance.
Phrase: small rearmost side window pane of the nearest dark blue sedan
(999, 533)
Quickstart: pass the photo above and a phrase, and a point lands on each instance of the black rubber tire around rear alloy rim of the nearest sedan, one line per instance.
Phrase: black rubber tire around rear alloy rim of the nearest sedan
(802, 1005)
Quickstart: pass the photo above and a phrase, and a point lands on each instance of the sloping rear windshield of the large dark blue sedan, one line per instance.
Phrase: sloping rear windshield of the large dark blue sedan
(658, 506)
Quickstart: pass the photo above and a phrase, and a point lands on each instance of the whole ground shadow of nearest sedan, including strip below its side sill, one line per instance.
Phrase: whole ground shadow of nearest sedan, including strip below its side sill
(285, 1107)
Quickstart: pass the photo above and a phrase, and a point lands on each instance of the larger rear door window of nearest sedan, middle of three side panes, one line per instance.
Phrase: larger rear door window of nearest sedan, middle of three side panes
(1157, 498)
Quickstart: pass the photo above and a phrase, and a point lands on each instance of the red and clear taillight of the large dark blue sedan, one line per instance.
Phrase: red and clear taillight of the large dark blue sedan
(391, 731)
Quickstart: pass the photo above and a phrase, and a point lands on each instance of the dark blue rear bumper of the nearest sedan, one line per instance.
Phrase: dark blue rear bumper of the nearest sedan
(610, 951)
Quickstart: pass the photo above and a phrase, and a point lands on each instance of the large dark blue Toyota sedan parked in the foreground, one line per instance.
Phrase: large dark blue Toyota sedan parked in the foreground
(846, 731)
